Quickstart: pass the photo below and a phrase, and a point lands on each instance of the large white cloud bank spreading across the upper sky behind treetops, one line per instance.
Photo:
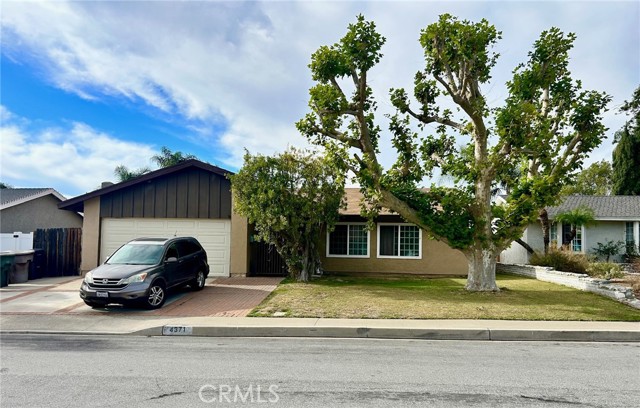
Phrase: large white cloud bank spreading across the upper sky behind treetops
(245, 63)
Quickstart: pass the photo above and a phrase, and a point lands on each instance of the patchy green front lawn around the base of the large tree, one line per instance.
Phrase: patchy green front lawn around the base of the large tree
(404, 297)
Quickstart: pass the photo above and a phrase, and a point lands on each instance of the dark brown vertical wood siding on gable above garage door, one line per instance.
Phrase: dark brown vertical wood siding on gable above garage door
(193, 193)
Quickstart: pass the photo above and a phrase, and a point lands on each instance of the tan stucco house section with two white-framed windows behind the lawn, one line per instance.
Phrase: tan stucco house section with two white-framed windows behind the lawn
(392, 246)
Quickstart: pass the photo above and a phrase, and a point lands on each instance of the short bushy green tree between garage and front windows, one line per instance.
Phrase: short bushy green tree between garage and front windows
(290, 198)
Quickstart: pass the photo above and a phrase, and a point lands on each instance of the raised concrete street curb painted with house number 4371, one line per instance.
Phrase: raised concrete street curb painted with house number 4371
(403, 333)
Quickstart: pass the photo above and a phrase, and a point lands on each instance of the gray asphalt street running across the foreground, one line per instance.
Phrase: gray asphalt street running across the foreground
(125, 371)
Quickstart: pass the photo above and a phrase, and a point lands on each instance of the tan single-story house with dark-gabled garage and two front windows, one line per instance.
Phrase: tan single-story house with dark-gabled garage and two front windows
(194, 198)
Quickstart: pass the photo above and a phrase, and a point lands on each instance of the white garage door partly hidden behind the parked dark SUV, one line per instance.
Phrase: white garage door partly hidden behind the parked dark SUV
(214, 235)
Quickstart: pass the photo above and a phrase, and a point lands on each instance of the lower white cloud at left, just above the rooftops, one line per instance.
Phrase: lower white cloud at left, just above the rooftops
(74, 160)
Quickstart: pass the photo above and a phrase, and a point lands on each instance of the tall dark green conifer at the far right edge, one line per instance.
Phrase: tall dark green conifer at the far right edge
(626, 155)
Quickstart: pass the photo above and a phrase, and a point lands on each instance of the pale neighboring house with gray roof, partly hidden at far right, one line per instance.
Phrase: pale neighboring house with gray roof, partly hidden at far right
(617, 218)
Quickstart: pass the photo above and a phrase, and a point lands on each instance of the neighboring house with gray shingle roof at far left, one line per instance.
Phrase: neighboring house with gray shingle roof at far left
(28, 209)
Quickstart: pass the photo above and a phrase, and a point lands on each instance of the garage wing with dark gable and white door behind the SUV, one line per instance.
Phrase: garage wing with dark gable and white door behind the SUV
(189, 199)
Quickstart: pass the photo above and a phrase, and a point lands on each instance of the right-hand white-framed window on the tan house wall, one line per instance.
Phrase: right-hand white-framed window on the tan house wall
(401, 240)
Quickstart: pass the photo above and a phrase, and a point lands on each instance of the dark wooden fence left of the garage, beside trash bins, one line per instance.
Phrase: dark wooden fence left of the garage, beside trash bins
(61, 251)
